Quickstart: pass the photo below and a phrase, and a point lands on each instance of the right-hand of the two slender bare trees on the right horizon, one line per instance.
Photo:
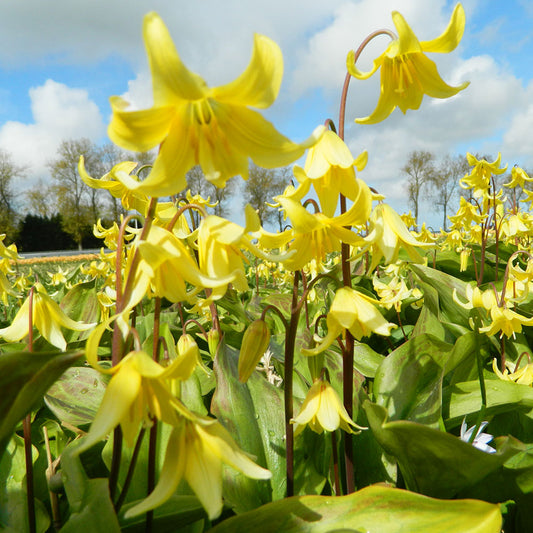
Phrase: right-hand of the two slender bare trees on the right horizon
(445, 182)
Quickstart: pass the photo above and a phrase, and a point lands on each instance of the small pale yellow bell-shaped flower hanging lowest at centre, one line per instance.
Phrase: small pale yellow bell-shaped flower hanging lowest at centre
(322, 410)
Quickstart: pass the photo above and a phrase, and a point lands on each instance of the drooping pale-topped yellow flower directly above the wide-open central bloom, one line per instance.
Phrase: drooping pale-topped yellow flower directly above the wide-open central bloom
(331, 169)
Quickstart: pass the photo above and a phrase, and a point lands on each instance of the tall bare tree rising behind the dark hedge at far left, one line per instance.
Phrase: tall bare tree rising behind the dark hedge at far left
(77, 203)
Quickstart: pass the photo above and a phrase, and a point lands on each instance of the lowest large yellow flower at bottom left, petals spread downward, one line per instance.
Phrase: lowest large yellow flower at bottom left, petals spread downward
(196, 450)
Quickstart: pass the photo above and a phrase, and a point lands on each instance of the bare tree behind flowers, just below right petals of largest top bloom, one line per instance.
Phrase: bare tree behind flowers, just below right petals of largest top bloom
(262, 185)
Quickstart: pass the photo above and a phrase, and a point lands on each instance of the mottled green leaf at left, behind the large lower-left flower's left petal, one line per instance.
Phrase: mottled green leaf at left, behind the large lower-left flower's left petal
(76, 396)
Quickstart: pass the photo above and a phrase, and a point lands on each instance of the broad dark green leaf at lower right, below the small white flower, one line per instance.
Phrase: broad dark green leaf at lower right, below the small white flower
(433, 462)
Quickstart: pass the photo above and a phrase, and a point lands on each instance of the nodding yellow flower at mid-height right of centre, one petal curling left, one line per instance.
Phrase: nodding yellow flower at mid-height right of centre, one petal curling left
(353, 311)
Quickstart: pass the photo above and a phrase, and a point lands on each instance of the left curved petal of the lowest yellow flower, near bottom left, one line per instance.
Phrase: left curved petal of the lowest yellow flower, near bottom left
(171, 474)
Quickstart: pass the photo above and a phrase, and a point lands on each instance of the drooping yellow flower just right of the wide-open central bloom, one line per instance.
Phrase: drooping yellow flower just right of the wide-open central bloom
(388, 235)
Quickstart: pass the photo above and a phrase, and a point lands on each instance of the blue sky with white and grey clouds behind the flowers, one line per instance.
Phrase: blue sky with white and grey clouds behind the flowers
(61, 60)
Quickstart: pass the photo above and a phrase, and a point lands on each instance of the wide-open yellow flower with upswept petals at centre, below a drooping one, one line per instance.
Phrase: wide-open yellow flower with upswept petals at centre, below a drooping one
(313, 236)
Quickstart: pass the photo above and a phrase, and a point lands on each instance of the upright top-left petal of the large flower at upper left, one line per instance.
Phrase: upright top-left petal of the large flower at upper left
(170, 77)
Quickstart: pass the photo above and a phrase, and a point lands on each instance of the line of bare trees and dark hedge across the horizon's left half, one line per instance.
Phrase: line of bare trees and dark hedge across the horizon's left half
(61, 213)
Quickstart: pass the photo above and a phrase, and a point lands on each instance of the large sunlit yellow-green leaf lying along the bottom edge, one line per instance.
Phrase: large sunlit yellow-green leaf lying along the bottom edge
(375, 509)
